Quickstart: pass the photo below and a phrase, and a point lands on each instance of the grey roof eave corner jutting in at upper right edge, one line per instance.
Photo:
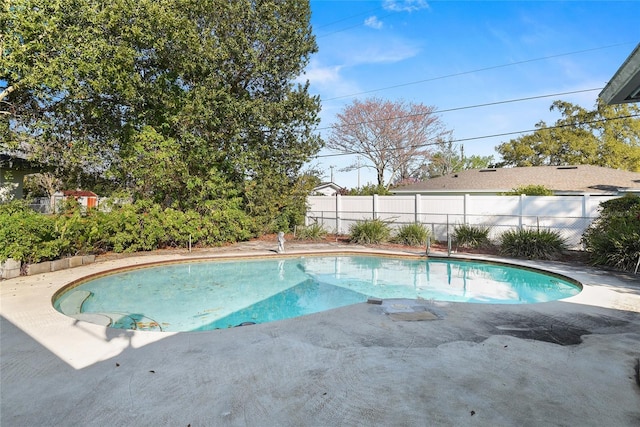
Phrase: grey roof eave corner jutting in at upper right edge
(624, 86)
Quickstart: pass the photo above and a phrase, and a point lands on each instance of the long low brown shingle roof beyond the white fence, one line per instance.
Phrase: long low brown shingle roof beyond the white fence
(560, 179)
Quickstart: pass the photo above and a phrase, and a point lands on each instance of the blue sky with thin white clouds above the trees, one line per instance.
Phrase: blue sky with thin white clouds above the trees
(454, 54)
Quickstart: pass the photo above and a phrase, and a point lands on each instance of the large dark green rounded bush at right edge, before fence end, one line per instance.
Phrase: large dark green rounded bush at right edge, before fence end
(613, 239)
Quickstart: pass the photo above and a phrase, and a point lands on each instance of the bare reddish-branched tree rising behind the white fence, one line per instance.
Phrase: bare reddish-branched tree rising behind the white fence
(393, 136)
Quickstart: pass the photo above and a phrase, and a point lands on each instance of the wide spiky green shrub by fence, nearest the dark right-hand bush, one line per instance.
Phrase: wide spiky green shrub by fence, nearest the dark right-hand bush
(532, 244)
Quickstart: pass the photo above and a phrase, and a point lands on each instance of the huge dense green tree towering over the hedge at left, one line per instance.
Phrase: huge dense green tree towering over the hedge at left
(183, 101)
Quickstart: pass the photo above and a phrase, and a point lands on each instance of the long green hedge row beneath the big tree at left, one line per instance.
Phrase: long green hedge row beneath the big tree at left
(31, 237)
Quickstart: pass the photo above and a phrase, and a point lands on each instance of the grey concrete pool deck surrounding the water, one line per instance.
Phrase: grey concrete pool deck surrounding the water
(568, 362)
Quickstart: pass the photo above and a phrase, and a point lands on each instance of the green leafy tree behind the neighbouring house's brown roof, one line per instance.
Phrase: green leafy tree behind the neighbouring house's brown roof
(606, 136)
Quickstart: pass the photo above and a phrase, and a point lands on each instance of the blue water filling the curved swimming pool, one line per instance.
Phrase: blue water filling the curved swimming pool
(197, 296)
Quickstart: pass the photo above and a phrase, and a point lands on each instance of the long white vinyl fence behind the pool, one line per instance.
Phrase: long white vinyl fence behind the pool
(568, 215)
